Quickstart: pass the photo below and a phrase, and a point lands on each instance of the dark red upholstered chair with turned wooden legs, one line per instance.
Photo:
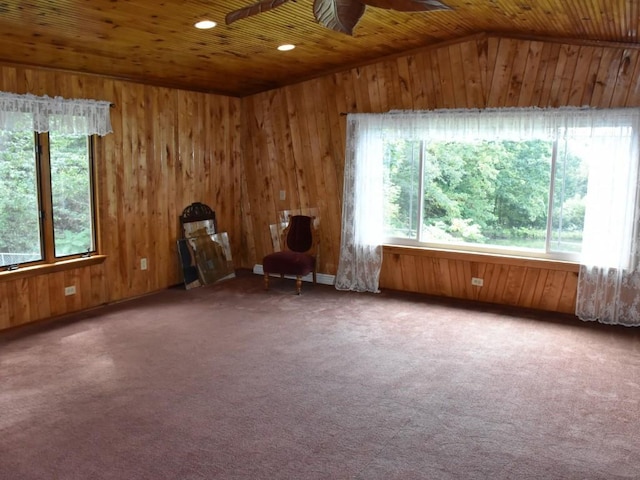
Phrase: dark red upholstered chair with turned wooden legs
(300, 254)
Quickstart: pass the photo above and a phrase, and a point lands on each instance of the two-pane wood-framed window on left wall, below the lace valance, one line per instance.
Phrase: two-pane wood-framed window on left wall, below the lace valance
(47, 209)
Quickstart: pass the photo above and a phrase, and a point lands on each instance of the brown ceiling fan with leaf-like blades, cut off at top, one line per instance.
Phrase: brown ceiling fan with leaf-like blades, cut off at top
(340, 15)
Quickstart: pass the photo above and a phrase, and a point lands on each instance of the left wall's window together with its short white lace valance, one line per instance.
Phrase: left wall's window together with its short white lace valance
(47, 209)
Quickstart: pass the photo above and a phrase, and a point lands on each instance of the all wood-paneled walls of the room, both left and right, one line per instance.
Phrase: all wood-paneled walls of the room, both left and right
(173, 147)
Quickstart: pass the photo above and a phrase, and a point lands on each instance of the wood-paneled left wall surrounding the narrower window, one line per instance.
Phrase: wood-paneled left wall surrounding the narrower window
(169, 148)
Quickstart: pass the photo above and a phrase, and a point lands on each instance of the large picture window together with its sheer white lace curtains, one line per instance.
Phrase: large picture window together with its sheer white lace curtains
(554, 183)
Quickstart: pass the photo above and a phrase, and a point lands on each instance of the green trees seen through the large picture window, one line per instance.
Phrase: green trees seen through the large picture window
(486, 194)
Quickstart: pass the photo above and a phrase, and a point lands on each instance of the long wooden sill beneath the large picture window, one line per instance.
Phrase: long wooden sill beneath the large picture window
(482, 257)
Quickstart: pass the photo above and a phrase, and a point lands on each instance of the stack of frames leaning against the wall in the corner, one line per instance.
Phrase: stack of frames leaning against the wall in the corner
(204, 253)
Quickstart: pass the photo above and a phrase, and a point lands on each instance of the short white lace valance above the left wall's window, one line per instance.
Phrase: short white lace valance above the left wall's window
(43, 114)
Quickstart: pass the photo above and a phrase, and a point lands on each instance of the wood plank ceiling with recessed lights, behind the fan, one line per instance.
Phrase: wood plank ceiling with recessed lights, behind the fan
(154, 42)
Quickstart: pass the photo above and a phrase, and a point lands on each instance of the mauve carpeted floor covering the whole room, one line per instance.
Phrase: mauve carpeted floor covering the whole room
(232, 382)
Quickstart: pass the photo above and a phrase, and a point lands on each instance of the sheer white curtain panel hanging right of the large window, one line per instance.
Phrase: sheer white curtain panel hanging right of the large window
(609, 279)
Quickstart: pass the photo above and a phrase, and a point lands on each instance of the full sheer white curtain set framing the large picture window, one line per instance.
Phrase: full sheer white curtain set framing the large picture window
(609, 284)
